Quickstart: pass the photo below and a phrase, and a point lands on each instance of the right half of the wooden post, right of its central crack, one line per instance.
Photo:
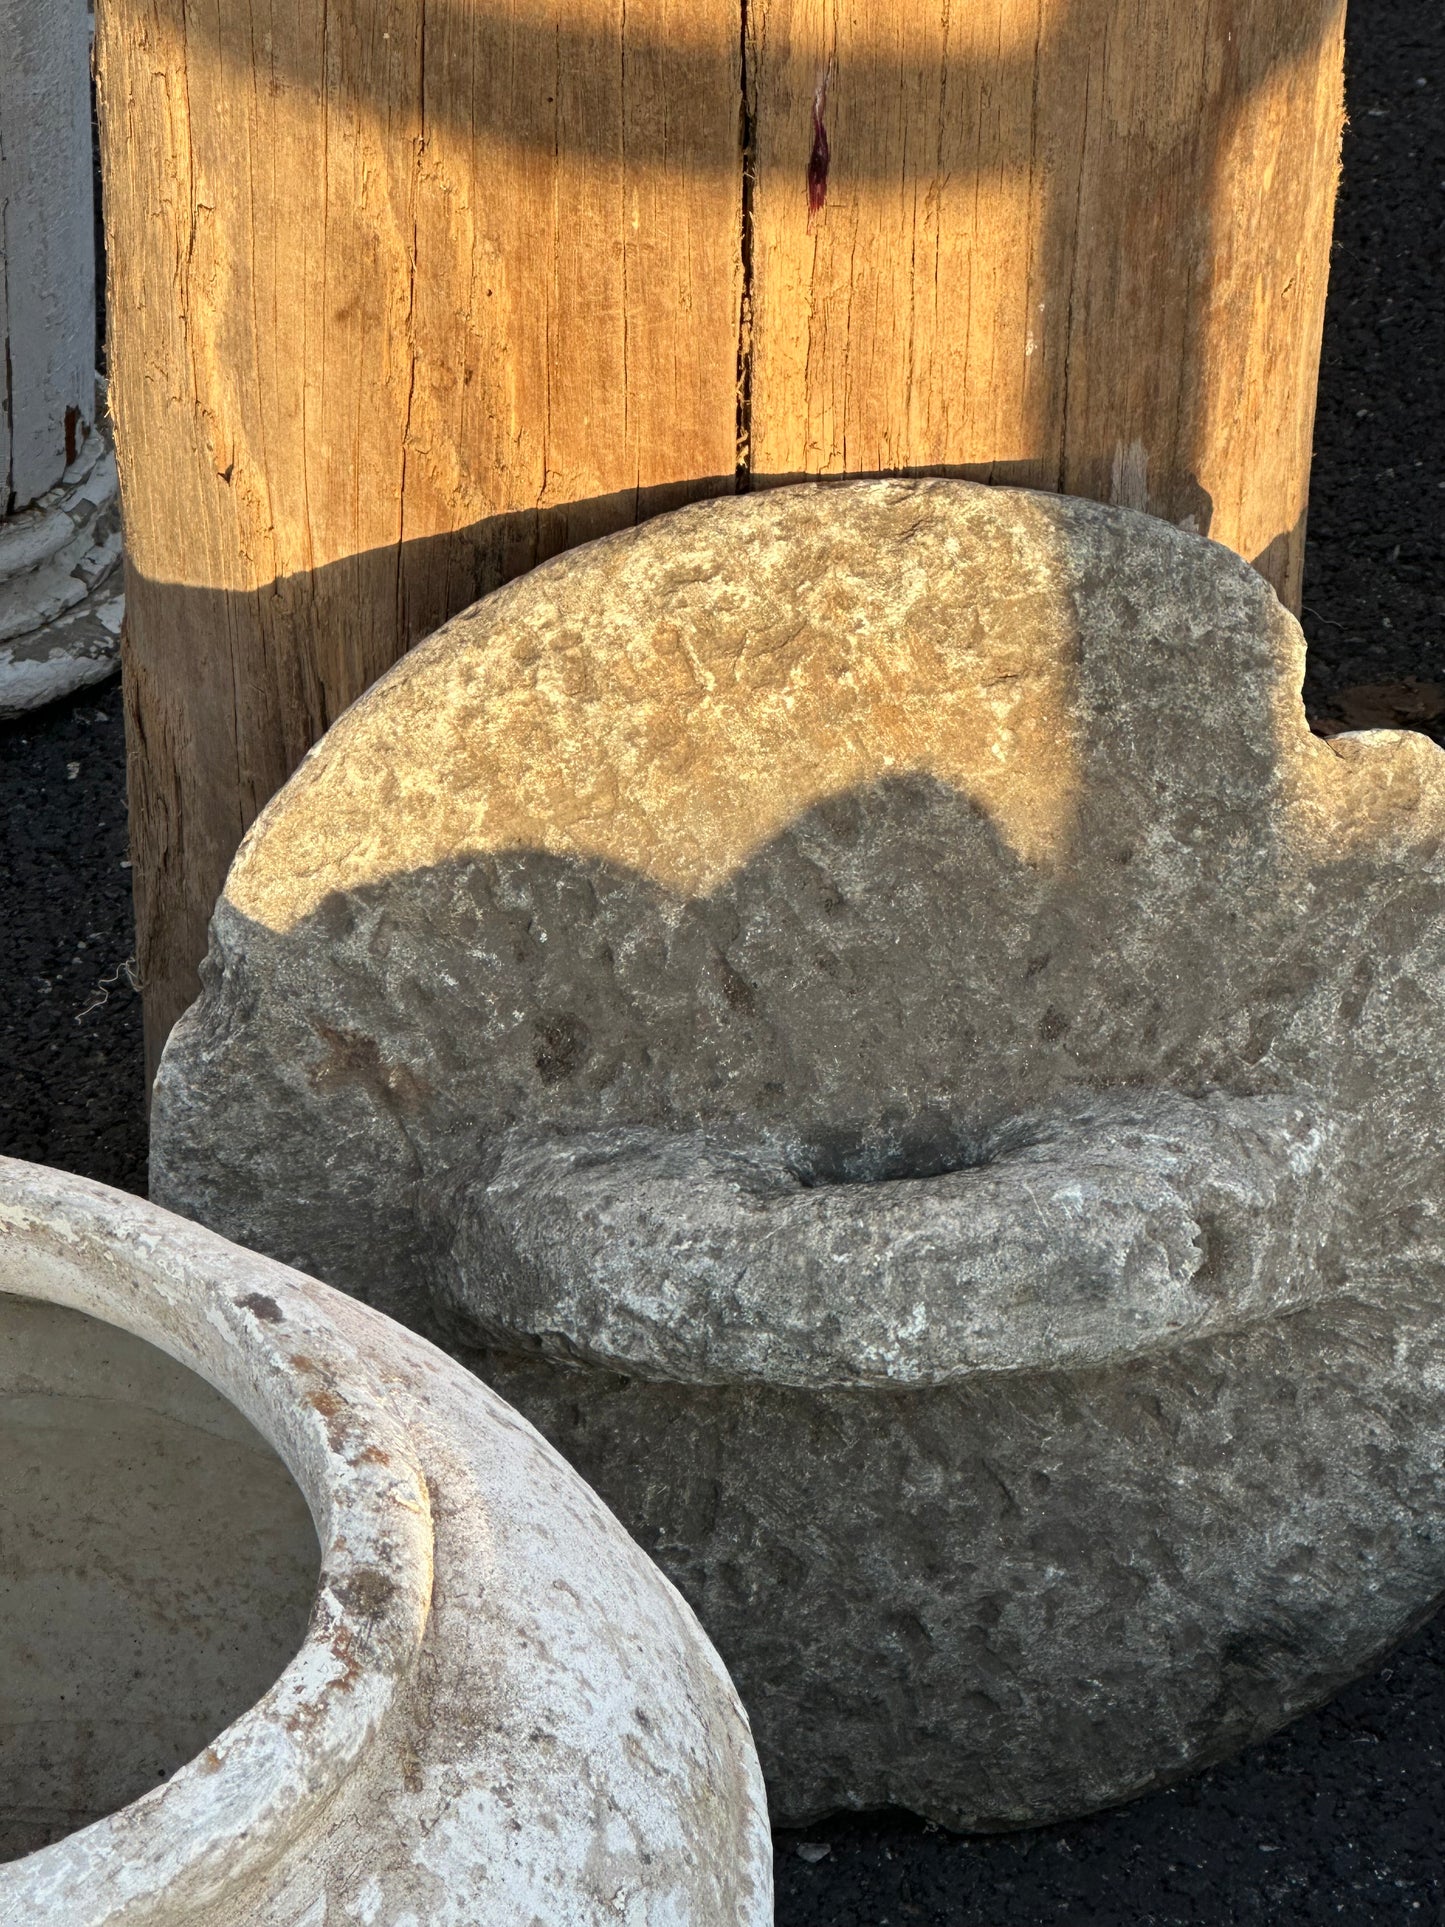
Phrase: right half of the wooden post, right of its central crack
(1074, 244)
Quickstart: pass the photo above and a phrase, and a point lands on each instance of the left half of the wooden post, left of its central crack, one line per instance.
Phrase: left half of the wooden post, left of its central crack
(404, 300)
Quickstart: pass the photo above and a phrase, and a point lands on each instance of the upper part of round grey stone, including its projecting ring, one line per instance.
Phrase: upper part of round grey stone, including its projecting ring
(866, 934)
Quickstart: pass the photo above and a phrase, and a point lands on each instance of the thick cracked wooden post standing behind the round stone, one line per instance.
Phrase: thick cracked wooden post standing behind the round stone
(409, 296)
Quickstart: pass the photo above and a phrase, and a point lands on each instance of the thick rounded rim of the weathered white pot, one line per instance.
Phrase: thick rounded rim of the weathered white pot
(259, 1334)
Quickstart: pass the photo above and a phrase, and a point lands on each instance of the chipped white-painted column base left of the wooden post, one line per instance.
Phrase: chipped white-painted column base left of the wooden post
(61, 585)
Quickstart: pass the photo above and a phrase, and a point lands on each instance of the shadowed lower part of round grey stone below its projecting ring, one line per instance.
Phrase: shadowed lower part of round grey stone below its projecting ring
(1016, 1600)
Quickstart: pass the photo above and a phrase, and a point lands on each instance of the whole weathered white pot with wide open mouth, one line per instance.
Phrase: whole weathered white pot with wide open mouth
(300, 1623)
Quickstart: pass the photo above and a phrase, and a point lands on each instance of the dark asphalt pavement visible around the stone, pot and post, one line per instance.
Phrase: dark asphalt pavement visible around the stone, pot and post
(1336, 1820)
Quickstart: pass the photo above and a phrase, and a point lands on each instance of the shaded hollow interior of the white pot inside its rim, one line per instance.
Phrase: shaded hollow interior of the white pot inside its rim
(157, 1570)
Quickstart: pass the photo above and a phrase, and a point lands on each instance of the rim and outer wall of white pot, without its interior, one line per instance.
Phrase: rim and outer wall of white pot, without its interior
(377, 1431)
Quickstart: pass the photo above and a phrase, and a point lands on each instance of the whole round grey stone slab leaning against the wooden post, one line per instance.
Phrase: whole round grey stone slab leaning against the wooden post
(866, 1013)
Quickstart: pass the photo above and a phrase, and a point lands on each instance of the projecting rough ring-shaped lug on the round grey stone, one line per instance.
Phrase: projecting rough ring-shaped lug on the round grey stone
(1074, 1238)
